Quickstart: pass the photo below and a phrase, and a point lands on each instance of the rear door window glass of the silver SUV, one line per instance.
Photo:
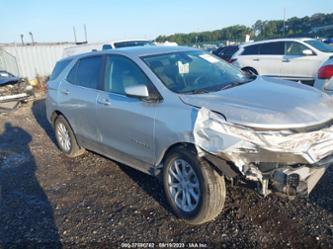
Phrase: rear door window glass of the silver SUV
(86, 72)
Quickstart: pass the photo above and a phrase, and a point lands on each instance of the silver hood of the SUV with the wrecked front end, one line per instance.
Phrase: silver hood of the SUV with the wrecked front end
(268, 103)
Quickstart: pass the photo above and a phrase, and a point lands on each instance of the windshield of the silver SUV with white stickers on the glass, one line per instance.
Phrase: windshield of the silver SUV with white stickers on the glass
(195, 72)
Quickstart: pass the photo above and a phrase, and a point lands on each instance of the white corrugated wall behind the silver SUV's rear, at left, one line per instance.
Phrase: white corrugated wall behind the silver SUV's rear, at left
(35, 60)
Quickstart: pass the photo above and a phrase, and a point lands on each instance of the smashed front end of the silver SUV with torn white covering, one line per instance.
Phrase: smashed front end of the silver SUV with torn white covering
(288, 161)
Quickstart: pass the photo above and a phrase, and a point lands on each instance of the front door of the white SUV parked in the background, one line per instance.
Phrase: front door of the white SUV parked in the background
(297, 65)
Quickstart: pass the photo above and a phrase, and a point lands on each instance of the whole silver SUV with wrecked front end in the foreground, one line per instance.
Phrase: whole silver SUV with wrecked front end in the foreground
(193, 120)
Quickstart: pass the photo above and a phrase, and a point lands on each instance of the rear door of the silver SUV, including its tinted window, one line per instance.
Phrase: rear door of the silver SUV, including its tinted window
(78, 98)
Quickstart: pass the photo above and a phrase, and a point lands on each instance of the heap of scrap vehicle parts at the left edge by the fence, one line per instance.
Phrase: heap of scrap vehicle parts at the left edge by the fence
(13, 91)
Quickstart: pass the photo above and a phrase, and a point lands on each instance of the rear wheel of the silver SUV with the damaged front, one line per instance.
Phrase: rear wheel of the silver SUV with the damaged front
(66, 139)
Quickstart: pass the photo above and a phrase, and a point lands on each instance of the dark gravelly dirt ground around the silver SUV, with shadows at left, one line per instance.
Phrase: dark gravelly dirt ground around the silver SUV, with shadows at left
(52, 201)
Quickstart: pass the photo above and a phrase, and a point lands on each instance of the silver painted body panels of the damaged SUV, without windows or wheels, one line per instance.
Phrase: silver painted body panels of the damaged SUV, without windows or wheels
(143, 131)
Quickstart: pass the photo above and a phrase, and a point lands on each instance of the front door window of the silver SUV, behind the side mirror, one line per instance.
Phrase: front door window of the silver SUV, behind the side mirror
(120, 73)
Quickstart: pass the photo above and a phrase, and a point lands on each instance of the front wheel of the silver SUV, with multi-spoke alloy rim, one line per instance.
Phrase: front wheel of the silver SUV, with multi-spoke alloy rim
(194, 190)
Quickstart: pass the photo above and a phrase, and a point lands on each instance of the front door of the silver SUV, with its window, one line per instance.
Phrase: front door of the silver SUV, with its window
(125, 124)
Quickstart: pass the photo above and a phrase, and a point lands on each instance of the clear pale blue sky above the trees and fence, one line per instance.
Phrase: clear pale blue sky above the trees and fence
(53, 21)
